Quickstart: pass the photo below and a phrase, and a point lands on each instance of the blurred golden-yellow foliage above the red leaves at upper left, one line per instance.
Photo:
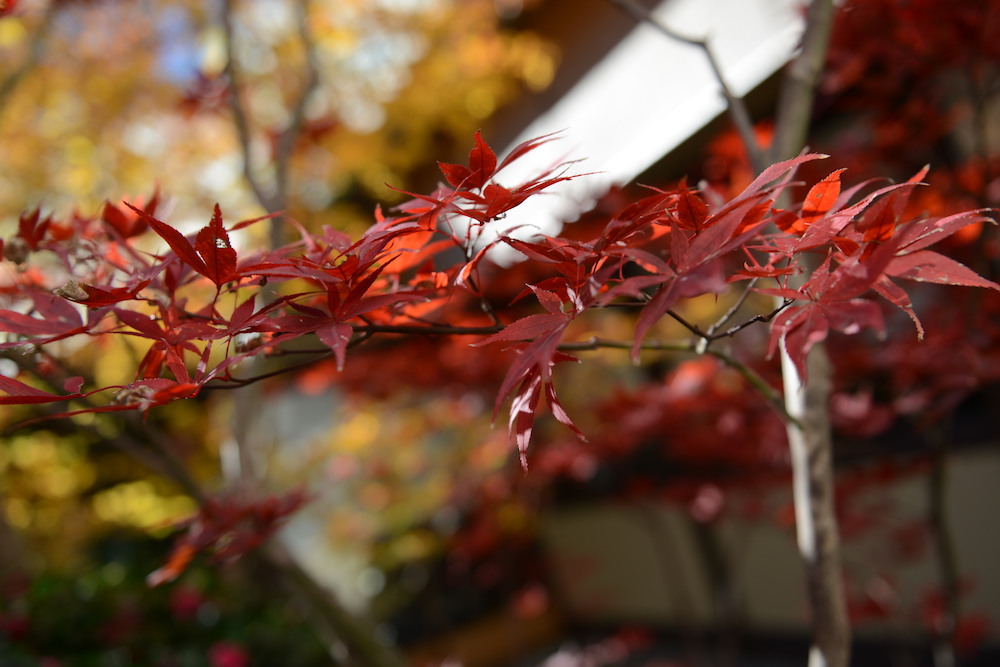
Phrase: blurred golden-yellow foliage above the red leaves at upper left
(121, 98)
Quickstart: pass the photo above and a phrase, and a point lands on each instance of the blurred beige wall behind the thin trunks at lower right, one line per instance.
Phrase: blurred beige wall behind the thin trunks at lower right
(615, 562)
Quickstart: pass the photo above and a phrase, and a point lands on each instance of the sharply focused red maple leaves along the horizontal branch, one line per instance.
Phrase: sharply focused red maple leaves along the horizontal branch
(202, 308)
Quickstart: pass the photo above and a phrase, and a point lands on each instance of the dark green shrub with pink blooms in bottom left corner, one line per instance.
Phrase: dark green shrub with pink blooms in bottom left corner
(106, 615)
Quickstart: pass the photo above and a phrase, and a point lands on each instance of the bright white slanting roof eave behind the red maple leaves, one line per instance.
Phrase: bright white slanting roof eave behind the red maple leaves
(648, 95)
